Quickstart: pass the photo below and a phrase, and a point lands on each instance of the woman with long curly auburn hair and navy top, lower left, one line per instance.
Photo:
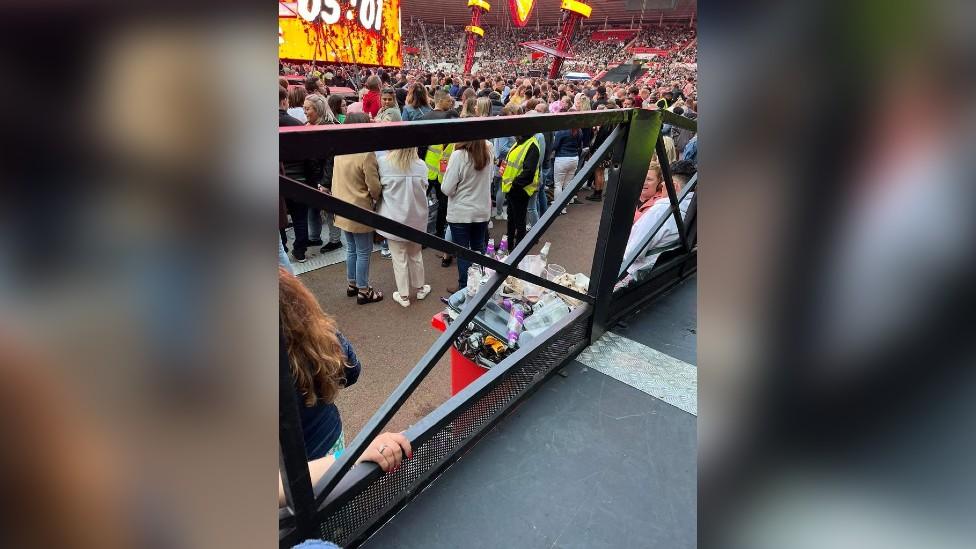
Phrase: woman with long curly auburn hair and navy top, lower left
(322, 362)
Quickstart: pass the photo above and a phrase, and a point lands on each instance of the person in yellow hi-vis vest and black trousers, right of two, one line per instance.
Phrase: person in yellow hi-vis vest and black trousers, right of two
(520, 180)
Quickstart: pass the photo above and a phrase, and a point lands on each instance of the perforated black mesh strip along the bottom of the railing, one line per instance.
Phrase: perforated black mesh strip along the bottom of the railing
(364, 508)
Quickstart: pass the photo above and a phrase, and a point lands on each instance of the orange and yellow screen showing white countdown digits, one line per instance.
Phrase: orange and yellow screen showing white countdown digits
(340, 31)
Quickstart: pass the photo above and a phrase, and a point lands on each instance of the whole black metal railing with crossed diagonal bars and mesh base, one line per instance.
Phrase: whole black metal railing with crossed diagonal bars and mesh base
(348, 503)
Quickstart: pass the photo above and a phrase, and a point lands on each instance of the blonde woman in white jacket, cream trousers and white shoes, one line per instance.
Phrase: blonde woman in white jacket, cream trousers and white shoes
(403, 177)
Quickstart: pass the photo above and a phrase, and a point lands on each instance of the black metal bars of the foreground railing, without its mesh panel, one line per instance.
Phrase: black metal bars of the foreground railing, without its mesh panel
(630, 146)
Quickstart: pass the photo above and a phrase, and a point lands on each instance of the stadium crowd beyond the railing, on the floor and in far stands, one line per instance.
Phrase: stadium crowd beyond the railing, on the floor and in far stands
(422, 91)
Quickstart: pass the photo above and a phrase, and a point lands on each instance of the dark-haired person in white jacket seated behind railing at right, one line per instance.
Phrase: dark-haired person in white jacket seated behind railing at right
(682, 172)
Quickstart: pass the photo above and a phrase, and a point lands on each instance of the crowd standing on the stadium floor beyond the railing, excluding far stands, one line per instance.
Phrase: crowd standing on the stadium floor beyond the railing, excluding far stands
(408, 96)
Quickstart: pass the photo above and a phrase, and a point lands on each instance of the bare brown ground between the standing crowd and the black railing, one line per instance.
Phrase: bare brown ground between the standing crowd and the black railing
(390, 339)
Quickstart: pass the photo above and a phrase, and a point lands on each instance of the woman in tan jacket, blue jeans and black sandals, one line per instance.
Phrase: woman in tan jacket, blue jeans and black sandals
(355, 179)
